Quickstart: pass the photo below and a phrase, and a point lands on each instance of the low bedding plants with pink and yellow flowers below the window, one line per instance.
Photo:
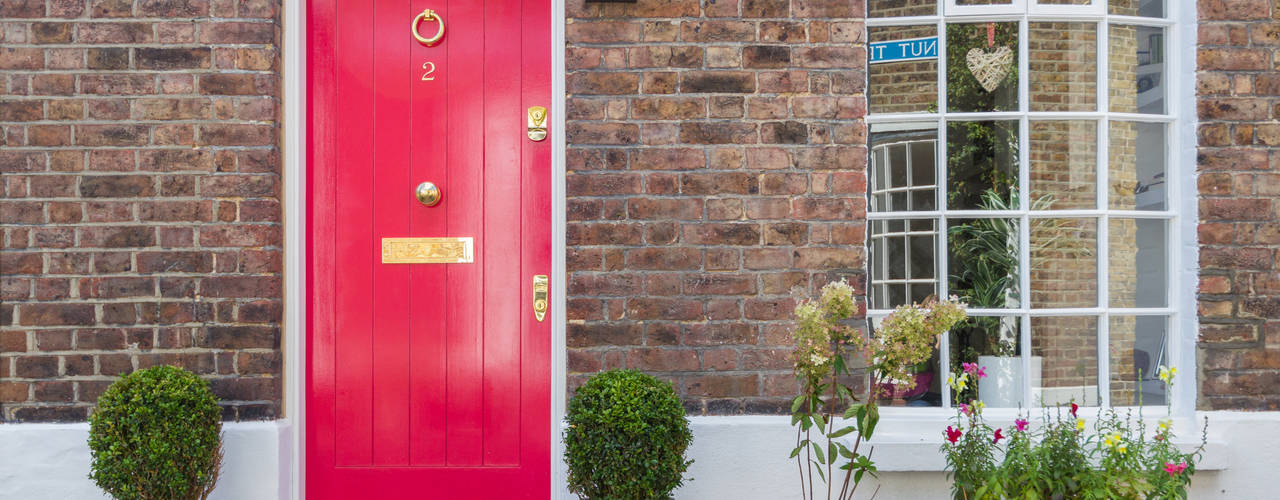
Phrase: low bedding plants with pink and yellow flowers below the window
(1062, 460)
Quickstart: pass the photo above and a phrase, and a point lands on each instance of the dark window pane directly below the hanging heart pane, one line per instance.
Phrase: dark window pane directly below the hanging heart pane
(982, 166)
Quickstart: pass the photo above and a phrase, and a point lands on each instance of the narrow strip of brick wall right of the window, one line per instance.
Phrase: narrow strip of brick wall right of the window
(1240, 185)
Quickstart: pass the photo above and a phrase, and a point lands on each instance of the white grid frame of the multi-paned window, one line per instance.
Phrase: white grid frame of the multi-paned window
(1180, 177)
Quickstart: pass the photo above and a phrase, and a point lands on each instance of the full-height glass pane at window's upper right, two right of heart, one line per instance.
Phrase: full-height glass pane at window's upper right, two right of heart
(1137, 74)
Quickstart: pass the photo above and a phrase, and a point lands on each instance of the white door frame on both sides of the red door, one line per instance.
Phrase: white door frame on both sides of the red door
(294, 49)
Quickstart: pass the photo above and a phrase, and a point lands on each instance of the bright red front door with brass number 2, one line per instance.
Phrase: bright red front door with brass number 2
(428, 380)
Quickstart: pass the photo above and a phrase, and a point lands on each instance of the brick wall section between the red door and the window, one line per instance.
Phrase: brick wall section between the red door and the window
(716, 162)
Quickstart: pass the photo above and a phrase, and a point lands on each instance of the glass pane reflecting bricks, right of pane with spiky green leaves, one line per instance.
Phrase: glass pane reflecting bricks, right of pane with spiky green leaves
(1064, 268)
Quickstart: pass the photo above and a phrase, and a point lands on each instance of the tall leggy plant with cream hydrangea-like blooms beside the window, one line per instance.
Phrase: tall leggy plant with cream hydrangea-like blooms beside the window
(826, 346)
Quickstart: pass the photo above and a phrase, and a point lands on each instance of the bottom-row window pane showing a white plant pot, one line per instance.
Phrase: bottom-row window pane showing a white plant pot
(993, 343)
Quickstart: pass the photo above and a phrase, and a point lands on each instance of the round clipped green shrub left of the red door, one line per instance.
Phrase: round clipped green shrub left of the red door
(157, 435)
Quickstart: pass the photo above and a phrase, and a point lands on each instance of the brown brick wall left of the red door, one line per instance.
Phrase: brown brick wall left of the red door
(140, 200)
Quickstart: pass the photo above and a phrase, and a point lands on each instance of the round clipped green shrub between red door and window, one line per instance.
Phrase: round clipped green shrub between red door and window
(627, 438)
